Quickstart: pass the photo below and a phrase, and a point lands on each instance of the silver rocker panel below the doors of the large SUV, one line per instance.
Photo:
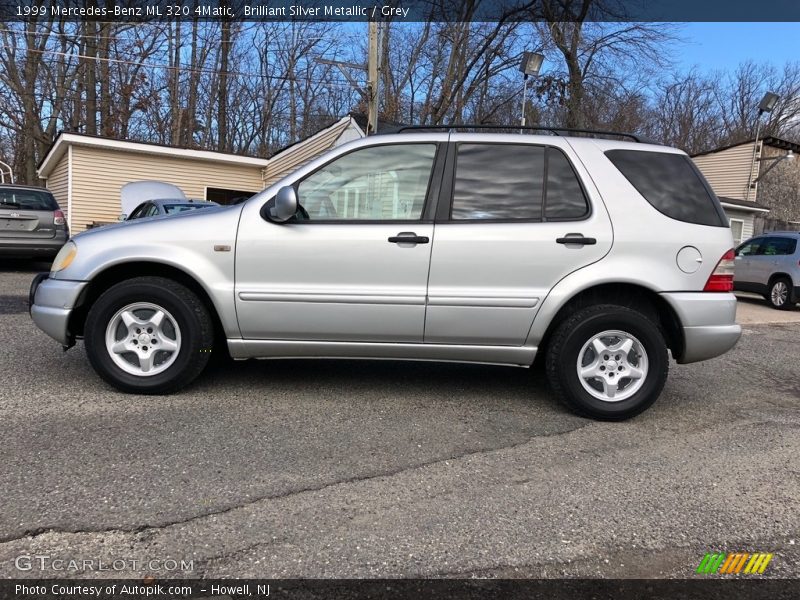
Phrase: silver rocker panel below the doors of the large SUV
(515, 356)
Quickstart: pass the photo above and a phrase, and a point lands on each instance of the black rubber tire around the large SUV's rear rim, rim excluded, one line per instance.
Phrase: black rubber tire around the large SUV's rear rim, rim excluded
(575, 331)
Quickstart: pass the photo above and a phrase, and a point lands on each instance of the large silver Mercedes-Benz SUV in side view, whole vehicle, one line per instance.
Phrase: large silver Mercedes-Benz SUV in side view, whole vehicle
(600, 255)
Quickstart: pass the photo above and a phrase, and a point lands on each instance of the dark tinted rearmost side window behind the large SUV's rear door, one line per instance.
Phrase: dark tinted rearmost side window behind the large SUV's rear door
(671, 184)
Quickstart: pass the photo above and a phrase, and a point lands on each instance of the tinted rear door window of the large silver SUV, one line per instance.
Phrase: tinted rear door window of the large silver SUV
(516, 181)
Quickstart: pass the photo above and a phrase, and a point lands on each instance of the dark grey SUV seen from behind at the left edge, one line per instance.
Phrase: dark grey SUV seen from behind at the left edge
(31, 223)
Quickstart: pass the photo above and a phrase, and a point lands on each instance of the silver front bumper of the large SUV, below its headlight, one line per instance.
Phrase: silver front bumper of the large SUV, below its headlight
(51, 303)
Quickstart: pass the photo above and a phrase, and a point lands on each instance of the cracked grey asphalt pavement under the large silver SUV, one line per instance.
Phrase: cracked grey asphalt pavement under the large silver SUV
(356, 469)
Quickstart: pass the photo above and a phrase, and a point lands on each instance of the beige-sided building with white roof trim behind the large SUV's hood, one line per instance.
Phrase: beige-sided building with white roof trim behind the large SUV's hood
(85, 173)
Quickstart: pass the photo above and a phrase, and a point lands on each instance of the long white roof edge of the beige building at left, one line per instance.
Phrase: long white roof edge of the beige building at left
(66, 139)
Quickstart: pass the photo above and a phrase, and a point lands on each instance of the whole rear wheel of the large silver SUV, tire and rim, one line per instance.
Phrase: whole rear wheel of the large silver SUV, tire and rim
(607, 362)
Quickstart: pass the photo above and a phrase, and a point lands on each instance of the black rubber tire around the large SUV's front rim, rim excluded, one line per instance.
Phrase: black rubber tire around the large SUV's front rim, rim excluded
(191, 315)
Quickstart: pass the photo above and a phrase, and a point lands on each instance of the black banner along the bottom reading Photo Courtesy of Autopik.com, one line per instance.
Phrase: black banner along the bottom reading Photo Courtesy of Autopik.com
(400, 589)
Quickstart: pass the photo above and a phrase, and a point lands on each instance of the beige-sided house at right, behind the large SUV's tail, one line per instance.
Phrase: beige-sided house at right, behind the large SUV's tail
(747, 190)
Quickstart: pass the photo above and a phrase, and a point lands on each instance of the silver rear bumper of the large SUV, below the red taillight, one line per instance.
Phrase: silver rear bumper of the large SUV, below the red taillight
(708, 320)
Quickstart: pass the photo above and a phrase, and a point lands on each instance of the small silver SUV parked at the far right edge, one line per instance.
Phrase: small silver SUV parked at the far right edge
(770, 265)
